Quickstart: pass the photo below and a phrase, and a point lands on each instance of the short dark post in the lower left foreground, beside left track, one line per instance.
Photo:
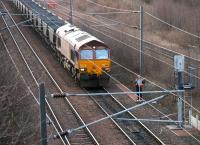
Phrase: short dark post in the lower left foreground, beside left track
(43, 127)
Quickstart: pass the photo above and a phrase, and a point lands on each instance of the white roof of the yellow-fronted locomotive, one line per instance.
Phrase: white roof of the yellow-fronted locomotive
(75, 36)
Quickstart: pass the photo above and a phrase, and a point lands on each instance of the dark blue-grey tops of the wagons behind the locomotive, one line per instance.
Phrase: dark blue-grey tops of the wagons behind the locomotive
(51, 20)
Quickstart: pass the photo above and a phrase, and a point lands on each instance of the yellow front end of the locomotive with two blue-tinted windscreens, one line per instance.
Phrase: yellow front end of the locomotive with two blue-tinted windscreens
(94, 64)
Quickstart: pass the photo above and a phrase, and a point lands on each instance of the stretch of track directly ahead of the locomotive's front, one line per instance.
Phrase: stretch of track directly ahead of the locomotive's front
(137, 132)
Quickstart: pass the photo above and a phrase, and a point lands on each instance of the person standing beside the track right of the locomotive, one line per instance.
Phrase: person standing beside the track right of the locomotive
(139, 84)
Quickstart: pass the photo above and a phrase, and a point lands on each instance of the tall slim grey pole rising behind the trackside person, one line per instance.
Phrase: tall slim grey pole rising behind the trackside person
(141, 41)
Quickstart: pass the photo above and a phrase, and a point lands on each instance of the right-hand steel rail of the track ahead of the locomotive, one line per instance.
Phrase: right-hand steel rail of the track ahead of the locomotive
(145, 127)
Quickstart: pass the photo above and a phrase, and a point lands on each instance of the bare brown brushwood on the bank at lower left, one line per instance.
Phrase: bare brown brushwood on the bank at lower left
(18, 125)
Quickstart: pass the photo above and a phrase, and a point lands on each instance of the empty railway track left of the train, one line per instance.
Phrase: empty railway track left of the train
(36, 72)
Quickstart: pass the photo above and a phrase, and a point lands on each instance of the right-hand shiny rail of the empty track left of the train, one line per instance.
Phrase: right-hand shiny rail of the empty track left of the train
(55, 83)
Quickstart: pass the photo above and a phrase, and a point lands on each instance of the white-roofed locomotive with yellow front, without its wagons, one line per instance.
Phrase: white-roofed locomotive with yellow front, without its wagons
(85, 56)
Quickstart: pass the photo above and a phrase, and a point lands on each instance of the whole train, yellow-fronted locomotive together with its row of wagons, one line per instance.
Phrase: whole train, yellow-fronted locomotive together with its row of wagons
(85, 56)
